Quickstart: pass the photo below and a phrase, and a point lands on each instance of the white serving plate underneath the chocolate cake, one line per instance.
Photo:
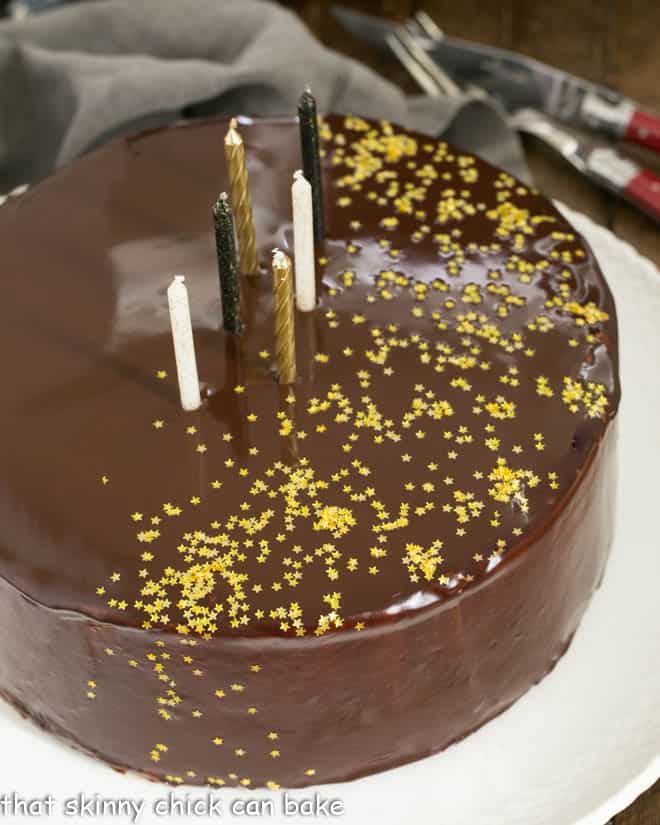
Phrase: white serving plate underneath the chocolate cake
(576, 750)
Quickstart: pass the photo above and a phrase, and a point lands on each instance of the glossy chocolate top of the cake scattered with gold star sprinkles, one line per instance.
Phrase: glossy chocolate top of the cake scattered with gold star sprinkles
(459, 369)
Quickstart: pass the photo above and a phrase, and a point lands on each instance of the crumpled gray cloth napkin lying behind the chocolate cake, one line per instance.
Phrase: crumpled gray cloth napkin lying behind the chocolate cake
(72, 78)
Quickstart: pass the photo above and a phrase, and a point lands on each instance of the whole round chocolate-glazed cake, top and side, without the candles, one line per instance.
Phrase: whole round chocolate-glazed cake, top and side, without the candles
(306, 583)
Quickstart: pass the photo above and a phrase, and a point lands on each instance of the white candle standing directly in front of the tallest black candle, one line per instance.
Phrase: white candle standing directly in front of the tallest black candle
(303, 242)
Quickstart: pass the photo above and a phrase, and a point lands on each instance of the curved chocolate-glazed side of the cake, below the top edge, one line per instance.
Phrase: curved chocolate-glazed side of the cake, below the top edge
(328, 708)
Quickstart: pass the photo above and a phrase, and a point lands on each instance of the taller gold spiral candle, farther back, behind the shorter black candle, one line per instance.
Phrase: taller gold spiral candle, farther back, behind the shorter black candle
(240, 199)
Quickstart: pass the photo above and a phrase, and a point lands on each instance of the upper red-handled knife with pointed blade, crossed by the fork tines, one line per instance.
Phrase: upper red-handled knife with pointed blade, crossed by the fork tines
(518, 82)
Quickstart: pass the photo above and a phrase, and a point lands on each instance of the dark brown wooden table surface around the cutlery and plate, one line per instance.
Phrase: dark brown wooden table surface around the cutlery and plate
(611, 41)
